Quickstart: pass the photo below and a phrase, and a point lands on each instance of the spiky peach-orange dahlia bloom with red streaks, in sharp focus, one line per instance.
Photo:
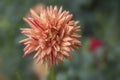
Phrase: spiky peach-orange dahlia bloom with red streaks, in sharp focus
(52, 35)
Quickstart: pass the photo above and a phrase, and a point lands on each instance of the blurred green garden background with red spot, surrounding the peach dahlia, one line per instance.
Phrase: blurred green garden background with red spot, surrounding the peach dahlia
(97, 59)
